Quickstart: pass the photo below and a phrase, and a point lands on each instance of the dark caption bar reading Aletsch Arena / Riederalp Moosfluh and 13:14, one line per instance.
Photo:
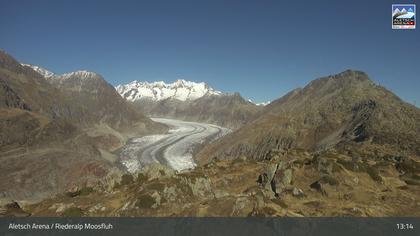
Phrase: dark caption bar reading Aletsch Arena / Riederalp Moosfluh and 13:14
(253, 226)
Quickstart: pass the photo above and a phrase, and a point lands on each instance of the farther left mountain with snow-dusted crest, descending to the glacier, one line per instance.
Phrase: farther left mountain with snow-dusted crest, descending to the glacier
(95, 101)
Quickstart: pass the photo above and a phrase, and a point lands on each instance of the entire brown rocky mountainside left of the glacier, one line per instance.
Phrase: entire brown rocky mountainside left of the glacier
(51, 139)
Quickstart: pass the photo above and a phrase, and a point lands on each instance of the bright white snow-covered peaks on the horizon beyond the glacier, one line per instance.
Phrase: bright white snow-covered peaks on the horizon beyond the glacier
(181, 90)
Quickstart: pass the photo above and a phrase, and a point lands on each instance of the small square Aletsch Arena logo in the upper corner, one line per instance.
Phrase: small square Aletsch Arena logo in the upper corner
(403, 16)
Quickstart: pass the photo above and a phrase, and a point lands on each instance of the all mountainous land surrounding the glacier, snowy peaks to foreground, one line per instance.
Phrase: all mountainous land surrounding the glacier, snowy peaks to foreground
(340, 146)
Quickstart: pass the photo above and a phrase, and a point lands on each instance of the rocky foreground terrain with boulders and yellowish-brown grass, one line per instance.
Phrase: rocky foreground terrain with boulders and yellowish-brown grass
(288, 183)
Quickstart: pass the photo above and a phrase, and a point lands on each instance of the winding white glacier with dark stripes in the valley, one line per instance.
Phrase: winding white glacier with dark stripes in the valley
(174, 149)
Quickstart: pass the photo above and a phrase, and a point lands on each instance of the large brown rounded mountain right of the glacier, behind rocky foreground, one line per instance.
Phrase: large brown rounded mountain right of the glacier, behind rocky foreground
(337, 111)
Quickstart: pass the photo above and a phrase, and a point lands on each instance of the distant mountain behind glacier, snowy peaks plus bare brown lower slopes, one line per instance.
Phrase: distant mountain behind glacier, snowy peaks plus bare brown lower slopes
(191, 101)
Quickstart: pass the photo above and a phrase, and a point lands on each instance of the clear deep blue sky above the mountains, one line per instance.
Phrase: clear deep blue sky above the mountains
(262, 49)
